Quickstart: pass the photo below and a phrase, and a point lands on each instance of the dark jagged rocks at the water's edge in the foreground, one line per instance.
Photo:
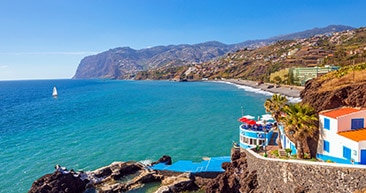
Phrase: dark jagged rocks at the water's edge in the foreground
(117, 178)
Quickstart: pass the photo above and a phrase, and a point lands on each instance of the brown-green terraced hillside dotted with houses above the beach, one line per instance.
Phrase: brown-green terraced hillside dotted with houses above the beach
(338, 48)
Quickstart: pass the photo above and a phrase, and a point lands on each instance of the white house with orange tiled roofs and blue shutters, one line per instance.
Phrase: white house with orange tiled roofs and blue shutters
(342, 135)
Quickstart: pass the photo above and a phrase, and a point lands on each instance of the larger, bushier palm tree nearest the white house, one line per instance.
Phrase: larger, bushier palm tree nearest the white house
(301, 122)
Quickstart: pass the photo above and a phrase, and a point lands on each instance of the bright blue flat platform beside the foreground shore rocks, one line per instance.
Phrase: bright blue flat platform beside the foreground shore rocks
(211, 165)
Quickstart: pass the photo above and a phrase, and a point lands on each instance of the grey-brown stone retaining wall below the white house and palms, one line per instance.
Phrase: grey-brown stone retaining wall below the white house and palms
(288, 176)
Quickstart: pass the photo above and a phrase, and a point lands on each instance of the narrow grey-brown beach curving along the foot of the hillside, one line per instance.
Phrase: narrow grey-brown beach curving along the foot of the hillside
(290, 91)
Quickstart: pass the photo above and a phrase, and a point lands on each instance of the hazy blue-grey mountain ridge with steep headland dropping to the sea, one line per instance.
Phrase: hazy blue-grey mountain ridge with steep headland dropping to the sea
(125, 62)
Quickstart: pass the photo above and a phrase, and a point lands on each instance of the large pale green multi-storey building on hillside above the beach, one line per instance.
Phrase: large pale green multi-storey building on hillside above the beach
(301, 75)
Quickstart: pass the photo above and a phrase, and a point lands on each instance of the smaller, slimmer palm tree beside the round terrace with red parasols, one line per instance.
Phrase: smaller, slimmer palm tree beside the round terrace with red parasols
(275, 106)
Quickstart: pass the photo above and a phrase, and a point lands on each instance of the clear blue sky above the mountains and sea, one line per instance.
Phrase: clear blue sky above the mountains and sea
(47, 39)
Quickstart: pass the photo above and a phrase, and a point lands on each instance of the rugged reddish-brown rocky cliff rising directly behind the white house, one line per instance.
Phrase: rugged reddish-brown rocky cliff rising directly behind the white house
(330, 92)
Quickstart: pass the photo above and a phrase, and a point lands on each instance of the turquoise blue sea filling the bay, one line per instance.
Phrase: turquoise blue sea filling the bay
(93, 123)
